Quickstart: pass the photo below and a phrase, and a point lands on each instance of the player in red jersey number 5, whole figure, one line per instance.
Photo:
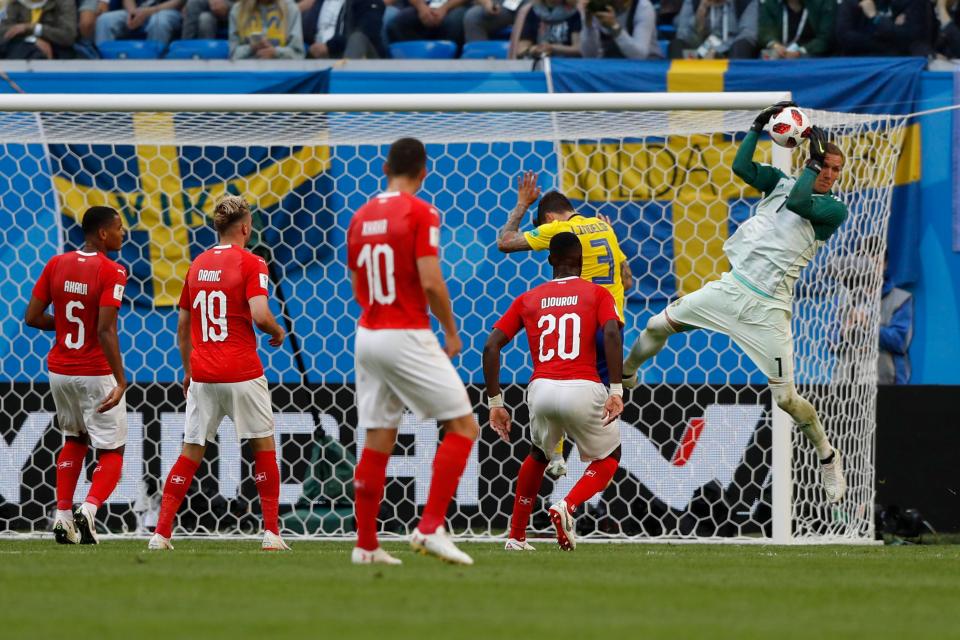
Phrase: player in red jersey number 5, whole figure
(86, 368)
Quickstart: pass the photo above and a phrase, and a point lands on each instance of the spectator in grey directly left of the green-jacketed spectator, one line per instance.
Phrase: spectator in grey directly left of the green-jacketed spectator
(716, 29)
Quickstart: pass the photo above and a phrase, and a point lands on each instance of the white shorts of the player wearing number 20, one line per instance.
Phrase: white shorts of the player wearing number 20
(574, 408)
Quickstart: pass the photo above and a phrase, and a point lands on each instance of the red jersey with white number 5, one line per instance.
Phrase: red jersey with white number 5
(78, 284)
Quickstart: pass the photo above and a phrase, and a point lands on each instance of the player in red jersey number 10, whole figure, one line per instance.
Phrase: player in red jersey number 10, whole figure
(393, 253)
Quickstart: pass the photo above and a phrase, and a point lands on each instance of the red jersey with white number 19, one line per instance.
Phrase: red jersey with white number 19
(219, 284)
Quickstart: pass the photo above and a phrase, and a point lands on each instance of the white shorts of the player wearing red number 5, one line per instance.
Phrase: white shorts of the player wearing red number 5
(77, 399)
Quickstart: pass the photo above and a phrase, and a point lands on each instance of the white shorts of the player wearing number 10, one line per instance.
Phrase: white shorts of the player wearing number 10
(405, 367)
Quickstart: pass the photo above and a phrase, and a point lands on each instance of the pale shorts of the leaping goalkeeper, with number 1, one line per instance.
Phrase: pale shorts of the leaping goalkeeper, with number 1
(758, 326)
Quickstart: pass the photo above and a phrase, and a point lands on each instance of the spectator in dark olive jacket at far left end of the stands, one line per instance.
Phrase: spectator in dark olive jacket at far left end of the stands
(41, 30)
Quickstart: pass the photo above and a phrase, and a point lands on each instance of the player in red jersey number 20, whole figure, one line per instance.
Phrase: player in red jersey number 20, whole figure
(561, 318)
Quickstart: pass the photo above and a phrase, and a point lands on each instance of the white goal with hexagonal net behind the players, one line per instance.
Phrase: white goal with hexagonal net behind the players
(705, 456)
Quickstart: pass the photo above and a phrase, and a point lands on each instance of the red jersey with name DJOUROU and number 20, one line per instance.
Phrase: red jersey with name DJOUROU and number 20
(561, 318)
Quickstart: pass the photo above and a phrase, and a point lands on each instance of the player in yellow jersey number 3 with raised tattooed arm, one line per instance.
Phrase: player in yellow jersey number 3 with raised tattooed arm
(603, 261)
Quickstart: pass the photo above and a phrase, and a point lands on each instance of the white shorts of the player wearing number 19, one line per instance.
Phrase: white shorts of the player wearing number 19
(246, 403)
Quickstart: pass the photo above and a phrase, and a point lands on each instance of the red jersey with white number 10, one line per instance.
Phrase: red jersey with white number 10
(386, 237)
